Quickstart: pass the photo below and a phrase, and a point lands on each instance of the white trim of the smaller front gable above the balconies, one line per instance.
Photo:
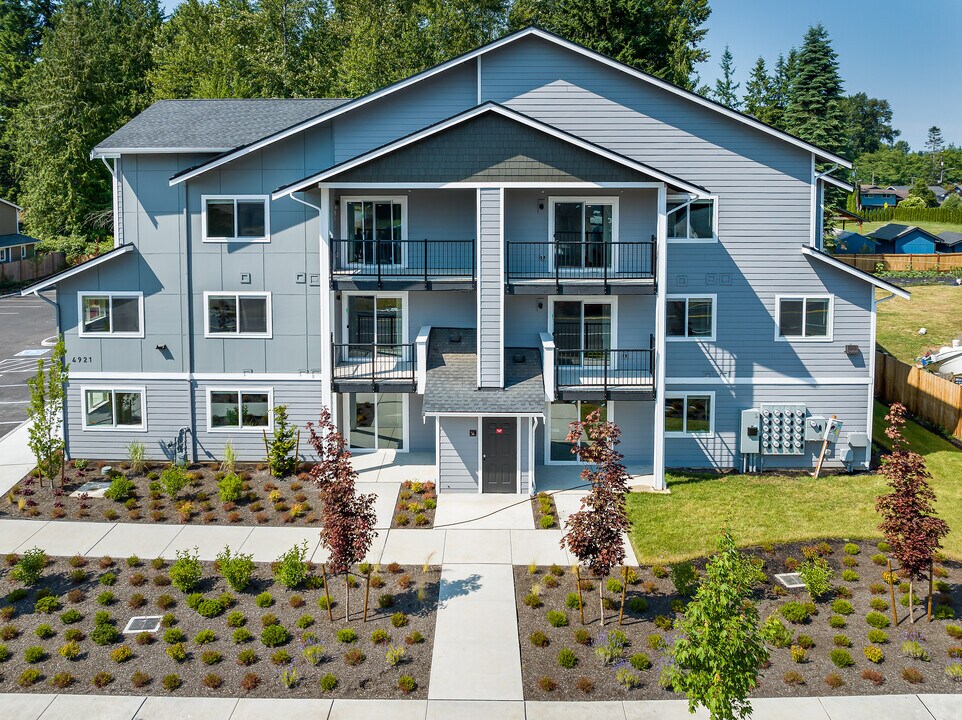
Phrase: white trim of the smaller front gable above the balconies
(488, 107)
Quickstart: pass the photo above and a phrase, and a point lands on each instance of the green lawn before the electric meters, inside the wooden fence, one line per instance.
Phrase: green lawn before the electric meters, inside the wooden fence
(773, 508)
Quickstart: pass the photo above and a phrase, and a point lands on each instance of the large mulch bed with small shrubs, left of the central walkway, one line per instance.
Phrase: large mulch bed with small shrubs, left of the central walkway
(414, 590)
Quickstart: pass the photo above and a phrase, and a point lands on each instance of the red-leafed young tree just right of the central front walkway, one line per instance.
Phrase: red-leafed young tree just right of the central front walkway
(595, 534)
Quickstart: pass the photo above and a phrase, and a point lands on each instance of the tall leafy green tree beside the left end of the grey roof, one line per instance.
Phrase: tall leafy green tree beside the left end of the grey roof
(91, 78)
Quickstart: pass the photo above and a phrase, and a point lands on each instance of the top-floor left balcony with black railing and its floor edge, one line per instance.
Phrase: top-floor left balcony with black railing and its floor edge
(428, 264)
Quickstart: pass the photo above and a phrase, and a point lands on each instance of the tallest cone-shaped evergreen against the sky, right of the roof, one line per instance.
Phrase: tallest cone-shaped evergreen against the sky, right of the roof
(814, 109)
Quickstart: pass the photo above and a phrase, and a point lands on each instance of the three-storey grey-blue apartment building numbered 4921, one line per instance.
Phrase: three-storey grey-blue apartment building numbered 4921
(461, 264)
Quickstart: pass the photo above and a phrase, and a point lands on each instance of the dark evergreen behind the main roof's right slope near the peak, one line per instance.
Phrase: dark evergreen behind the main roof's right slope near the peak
(662, 38)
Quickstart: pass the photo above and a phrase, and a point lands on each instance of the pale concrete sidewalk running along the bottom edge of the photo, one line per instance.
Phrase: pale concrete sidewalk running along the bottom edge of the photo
(104, 707)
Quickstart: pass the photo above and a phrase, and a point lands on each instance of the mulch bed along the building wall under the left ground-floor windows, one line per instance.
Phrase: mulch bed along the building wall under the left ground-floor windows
(266, 500)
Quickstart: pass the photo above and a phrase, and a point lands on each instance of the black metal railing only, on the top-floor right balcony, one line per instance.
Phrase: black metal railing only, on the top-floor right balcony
(579, 259)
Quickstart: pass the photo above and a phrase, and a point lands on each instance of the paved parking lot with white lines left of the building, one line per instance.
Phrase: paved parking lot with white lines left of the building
(24, 324)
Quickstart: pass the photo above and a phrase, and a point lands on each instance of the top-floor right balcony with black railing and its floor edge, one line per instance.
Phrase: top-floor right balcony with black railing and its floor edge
(576, 262)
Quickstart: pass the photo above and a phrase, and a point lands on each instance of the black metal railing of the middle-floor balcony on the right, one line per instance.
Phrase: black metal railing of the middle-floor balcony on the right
(606, 368)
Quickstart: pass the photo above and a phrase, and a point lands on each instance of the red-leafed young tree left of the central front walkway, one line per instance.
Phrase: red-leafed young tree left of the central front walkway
(348, 517)
